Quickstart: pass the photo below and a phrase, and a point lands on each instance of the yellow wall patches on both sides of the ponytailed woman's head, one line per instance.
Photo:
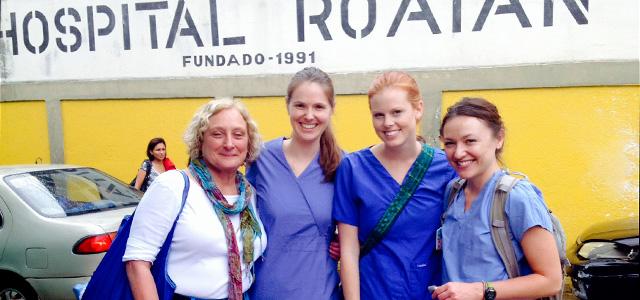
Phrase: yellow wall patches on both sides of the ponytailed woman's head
(351, 120)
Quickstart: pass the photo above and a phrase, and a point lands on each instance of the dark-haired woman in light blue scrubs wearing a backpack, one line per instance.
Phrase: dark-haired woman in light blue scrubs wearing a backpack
(473, 135)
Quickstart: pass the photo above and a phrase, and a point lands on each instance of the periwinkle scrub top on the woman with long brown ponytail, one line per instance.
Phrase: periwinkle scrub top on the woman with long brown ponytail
(296, 214)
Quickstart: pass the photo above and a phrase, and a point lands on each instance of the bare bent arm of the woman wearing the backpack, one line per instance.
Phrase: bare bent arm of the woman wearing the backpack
(540, 251)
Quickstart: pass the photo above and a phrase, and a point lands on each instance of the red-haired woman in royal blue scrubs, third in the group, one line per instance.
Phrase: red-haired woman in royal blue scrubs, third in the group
(404, 263)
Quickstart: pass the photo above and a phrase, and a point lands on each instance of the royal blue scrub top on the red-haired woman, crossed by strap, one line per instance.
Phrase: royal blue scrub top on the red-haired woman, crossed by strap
(404, 263)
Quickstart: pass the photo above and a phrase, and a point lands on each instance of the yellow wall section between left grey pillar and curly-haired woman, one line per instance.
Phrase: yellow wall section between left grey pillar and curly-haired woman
(112, 135)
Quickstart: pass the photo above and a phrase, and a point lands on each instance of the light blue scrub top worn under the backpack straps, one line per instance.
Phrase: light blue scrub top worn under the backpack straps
(469, 254)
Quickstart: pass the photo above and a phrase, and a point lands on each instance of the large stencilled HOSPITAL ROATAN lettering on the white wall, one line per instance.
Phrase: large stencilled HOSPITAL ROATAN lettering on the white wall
(69, 23)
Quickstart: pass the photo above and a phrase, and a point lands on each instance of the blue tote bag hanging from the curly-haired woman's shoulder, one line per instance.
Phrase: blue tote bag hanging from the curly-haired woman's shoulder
(110, 281)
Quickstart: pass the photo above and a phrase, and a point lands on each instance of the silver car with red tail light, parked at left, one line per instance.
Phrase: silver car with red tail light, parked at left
(56, 222)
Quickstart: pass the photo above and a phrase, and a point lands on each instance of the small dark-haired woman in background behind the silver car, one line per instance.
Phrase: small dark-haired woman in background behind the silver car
(156, 164)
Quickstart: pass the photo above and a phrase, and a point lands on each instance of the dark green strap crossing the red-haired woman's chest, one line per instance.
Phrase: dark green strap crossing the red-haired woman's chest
(409, 185)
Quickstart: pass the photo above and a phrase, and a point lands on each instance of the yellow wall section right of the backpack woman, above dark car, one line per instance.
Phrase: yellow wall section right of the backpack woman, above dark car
(578, 145)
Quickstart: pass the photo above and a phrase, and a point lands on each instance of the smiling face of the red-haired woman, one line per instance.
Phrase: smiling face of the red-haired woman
(394, 118)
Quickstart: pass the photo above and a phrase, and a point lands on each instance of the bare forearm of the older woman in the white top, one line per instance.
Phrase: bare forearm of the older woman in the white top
(141, 280)
